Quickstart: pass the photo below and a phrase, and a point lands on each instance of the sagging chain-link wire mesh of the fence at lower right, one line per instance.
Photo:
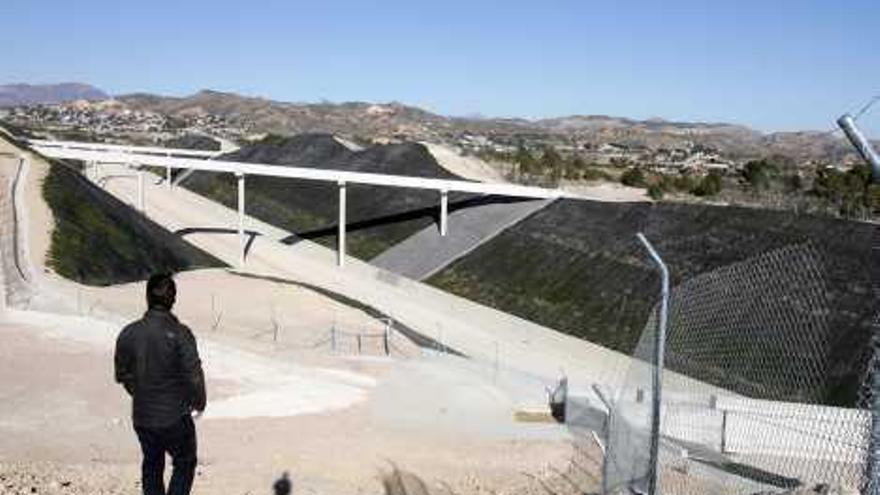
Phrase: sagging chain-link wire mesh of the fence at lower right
(745, 389)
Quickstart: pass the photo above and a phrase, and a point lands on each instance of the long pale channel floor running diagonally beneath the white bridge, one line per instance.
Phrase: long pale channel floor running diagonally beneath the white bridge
(488, 336)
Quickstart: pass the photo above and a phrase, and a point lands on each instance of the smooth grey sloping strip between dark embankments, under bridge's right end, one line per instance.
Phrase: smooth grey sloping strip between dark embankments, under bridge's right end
(426, 252)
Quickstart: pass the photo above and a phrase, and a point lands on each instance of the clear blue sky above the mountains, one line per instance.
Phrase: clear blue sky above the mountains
(770, 64)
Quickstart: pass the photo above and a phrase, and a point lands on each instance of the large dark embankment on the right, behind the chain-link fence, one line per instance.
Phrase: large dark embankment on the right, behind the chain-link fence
(576, 266)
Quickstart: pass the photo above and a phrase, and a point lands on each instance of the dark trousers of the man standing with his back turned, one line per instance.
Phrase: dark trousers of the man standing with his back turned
(178, 440)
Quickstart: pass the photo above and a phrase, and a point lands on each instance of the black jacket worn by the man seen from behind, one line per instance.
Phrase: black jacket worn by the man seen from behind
(158, 364)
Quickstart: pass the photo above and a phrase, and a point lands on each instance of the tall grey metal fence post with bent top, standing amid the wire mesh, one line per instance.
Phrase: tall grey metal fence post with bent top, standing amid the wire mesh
(659, 355)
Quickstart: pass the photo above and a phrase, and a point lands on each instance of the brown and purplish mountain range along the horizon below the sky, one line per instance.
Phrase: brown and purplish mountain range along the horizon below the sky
(399, 121)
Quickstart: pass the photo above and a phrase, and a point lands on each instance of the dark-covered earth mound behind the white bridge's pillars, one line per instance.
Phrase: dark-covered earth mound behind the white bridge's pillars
(377, 217)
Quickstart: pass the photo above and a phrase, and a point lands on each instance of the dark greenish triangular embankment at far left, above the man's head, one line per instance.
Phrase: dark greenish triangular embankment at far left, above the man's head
(98, 240)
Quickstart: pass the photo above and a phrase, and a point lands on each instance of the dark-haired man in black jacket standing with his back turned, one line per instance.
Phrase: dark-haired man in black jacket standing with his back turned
(158, 363)
